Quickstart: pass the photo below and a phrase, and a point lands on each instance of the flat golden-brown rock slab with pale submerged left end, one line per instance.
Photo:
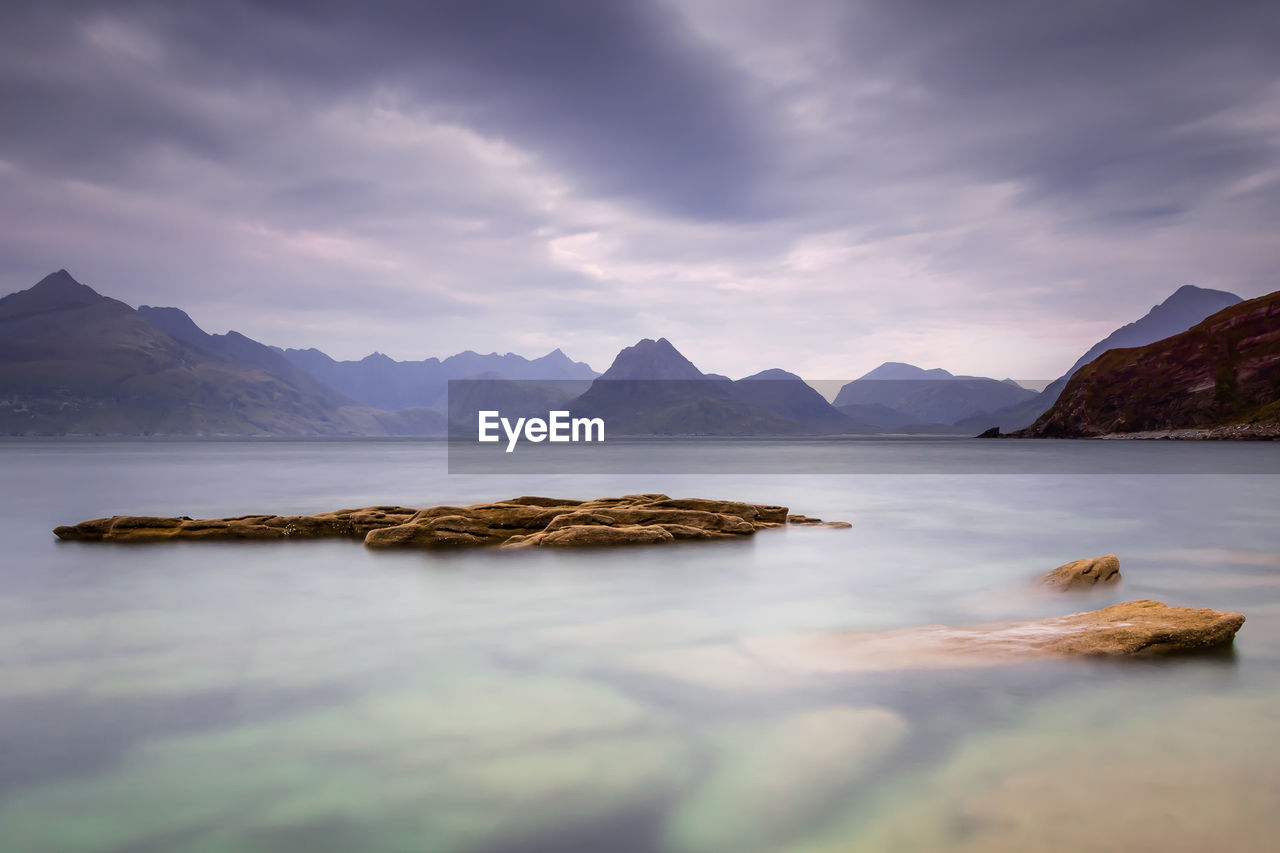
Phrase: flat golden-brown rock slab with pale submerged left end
(1136, 630)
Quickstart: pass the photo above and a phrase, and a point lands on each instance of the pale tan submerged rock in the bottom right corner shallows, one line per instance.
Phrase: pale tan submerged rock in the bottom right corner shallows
(1178, 773)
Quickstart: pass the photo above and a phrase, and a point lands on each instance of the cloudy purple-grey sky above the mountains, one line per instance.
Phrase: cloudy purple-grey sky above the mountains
(811, 185)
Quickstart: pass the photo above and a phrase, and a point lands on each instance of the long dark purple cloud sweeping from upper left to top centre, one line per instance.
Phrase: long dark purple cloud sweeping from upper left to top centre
(615, 94)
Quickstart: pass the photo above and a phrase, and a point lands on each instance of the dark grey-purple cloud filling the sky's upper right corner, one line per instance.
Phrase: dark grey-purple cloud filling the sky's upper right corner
(1126, 107)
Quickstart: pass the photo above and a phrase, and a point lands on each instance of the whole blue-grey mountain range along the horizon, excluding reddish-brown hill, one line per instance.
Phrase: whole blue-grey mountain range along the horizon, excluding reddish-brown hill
(74, 362)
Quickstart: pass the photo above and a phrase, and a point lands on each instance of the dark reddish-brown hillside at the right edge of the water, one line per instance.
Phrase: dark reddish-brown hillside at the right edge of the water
(1224, 371)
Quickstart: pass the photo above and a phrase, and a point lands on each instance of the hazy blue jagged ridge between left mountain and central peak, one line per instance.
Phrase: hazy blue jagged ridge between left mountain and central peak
(385, 384)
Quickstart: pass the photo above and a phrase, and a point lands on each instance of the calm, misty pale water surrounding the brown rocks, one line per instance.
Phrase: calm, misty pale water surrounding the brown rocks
(319, 697)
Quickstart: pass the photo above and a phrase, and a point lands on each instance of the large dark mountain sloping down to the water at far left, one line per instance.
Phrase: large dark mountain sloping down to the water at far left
(74, 362)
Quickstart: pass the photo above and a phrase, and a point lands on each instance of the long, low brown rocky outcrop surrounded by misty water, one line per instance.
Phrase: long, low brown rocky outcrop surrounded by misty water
(524, 522)
